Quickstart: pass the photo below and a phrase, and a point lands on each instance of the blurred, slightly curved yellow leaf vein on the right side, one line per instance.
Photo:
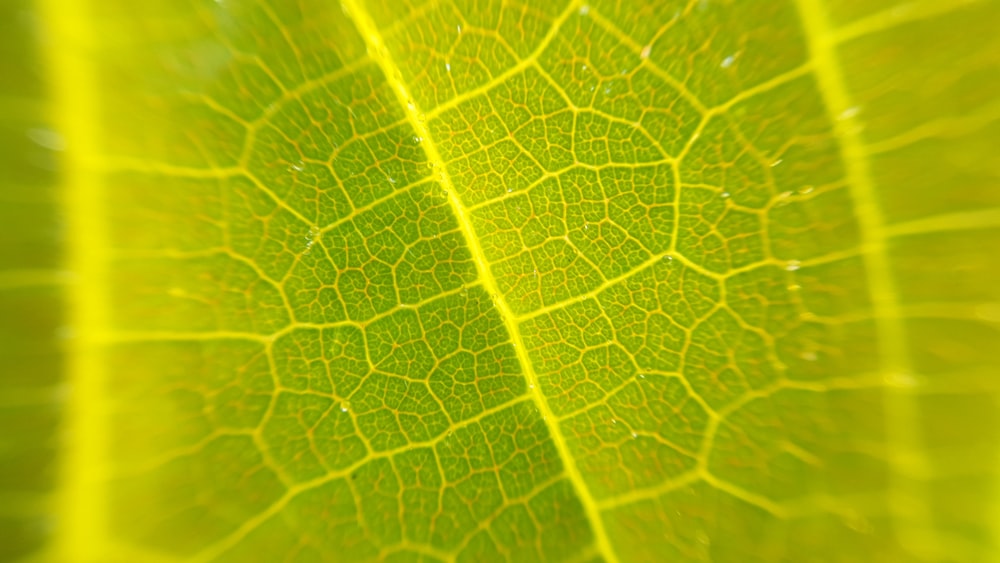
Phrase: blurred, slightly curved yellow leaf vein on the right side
(905, 495)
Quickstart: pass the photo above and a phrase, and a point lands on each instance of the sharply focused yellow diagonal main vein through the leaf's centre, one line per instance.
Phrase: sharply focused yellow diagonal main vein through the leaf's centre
(378, 51)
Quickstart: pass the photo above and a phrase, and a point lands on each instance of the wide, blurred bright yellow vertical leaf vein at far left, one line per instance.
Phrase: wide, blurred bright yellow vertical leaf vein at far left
(82, 513)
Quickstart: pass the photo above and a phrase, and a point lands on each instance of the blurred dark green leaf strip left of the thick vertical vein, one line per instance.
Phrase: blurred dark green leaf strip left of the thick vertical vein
(32, 283)
